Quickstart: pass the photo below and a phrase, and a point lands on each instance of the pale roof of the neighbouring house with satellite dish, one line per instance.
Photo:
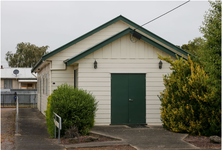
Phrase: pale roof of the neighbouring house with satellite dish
(23, 73)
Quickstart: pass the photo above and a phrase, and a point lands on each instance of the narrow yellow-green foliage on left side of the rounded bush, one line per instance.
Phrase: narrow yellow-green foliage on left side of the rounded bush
(49, 118)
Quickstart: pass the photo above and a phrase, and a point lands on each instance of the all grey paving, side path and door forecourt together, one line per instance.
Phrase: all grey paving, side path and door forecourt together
(34, 136)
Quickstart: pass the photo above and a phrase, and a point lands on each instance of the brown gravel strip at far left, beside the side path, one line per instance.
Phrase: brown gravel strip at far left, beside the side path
(7, 128)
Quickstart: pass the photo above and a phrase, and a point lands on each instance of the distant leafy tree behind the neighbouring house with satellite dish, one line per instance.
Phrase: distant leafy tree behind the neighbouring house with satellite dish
(27, 55)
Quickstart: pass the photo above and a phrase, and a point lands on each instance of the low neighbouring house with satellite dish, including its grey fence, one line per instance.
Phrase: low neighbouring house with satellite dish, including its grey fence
(21, 81)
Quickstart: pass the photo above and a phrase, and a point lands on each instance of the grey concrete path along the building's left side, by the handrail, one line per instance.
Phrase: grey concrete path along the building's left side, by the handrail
(33, 132)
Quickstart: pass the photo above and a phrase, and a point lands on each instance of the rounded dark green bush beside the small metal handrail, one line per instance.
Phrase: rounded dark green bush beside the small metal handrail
(75, 106)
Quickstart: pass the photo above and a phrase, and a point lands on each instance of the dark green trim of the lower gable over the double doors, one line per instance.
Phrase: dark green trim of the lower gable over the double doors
(115, 37)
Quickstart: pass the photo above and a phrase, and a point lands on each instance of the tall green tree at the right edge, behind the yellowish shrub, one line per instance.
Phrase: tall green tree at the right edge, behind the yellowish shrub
(211, 52)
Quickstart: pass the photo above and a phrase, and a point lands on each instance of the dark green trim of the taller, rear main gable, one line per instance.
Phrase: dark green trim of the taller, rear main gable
(138, 27)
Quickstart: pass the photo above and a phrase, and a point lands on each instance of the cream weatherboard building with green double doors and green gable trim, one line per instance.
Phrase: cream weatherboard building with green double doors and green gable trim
(116, 63)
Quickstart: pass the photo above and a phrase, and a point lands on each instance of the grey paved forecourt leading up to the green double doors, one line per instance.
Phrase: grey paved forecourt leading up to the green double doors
(152, 138)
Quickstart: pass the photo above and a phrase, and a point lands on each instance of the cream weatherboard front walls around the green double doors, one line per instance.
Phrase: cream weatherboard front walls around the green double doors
(120, 56)
